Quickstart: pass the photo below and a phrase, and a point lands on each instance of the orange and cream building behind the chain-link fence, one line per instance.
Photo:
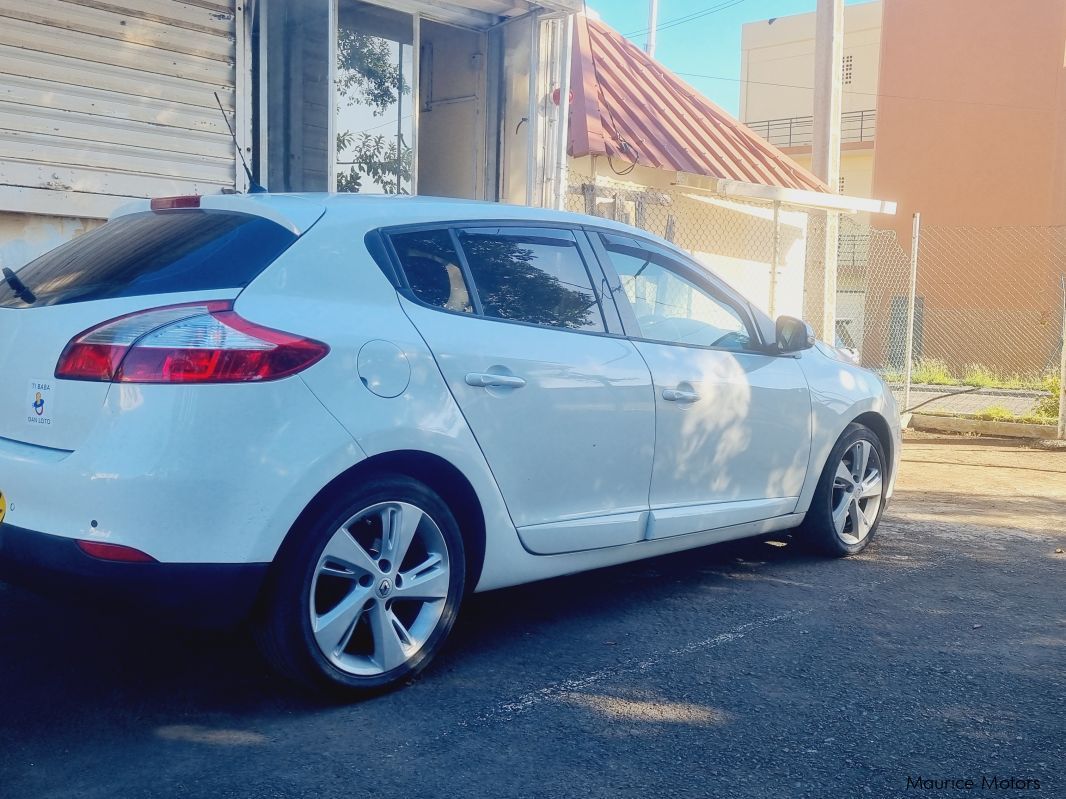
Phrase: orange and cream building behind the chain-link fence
(971, 131)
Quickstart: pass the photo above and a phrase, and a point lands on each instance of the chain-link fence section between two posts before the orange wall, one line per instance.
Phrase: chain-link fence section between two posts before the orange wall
(989, 321)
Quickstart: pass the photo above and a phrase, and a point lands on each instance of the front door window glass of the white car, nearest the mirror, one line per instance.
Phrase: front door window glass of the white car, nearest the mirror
(671, 308)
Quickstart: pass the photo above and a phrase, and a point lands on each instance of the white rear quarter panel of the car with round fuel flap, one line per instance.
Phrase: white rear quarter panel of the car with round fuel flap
(329, 288)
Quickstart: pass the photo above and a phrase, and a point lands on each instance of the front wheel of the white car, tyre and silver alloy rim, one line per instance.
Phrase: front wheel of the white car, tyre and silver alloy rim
(848, 503)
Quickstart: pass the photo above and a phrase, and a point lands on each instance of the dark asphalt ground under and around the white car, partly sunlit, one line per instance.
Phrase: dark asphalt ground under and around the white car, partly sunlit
(732, 672)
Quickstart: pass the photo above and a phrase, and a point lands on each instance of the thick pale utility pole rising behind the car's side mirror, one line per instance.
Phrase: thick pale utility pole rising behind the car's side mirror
(826, 159)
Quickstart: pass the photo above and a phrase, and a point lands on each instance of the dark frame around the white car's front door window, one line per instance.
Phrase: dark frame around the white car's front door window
(687, 269)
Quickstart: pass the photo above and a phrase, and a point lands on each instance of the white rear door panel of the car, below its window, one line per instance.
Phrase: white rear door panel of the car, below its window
(576, 441)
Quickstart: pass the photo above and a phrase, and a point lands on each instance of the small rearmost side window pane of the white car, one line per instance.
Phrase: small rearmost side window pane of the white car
(433, 270)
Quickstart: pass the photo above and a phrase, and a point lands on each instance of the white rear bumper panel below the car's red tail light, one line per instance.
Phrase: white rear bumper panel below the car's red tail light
(214, 476)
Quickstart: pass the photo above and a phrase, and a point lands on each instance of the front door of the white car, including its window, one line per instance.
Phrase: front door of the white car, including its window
(733, 425)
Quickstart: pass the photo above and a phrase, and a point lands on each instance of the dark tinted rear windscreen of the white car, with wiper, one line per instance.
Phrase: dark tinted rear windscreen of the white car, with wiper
(151, 254)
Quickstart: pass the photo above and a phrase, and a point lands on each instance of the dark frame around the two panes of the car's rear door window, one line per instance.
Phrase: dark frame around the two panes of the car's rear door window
(382, 250)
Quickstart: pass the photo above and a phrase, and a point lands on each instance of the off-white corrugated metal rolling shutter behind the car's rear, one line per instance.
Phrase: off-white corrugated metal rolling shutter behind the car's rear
(103, 101)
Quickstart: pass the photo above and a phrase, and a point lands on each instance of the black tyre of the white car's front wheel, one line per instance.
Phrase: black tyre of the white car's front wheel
(819, 531)
